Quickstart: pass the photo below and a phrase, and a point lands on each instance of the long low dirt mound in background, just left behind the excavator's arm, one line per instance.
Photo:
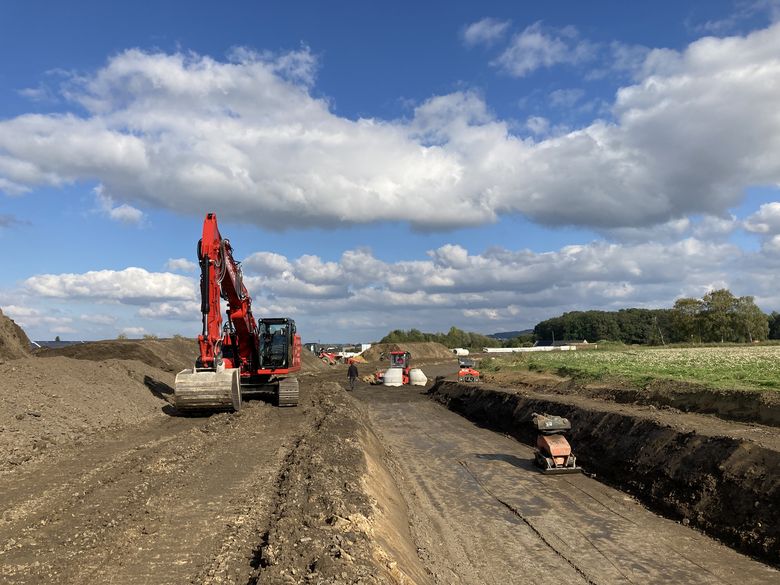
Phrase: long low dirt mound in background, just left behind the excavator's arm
(171, 355)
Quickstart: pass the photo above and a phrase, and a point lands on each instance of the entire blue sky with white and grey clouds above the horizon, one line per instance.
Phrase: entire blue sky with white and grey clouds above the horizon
(385, 165)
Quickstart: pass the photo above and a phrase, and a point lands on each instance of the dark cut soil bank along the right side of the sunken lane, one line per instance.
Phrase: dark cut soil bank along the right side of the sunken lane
(726, 486)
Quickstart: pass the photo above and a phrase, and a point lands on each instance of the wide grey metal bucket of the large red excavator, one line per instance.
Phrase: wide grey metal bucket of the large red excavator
(208, 389)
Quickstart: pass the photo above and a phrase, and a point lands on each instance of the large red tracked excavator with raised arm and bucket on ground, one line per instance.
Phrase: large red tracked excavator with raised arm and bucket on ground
(240, 357)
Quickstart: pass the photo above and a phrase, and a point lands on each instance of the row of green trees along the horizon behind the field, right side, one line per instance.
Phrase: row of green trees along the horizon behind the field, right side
(719, 316)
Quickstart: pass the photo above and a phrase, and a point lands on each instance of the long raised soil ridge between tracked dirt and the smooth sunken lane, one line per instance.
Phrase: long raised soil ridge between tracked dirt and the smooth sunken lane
(339, 516)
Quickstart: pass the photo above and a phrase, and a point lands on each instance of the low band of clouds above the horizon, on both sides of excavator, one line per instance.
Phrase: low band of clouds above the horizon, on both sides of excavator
(359, 296)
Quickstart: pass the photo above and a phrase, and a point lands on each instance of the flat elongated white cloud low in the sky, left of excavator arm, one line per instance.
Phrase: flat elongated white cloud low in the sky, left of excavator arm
(131, 286)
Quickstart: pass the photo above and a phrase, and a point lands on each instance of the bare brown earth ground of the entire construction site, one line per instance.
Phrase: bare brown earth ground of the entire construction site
(382, 485)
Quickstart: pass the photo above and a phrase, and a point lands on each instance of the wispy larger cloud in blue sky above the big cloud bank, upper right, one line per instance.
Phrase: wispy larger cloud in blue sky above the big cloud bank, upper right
(537, 47)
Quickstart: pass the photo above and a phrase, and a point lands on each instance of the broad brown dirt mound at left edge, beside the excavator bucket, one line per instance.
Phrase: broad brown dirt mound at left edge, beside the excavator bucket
(62, 401)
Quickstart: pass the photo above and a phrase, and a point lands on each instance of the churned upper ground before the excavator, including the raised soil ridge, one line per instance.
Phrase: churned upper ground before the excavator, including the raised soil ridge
(267, 495)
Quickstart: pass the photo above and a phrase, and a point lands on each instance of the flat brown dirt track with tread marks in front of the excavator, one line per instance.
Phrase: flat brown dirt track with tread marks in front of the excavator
(157, 507)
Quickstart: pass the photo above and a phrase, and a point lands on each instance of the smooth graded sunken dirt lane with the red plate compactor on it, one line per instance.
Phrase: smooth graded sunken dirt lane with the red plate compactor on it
(481, 513)
